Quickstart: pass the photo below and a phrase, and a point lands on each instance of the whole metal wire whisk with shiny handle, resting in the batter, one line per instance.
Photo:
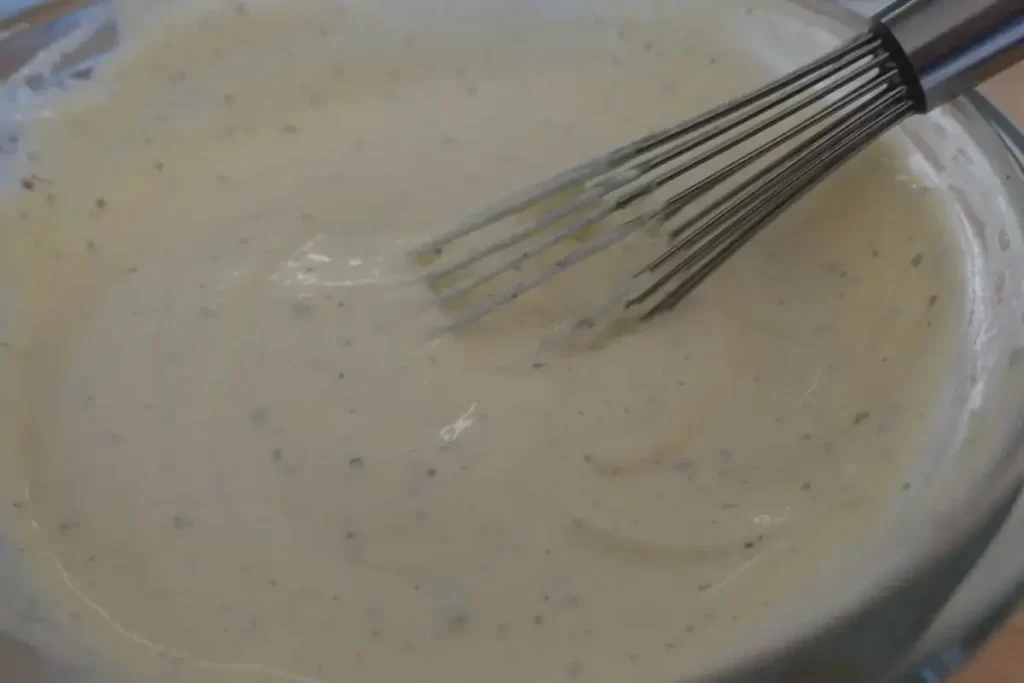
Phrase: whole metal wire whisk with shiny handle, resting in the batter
(790, 135)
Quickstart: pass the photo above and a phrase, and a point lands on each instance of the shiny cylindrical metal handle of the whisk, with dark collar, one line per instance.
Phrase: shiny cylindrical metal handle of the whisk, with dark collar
(953, 46)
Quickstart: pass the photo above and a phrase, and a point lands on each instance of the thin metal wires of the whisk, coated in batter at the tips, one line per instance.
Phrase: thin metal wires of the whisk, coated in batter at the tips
(833, 109)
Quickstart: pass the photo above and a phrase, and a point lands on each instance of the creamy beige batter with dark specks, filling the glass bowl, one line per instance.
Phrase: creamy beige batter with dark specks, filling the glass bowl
(243, 460)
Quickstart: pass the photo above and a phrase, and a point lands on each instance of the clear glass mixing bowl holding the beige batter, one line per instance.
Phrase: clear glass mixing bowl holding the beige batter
(910, 604)
